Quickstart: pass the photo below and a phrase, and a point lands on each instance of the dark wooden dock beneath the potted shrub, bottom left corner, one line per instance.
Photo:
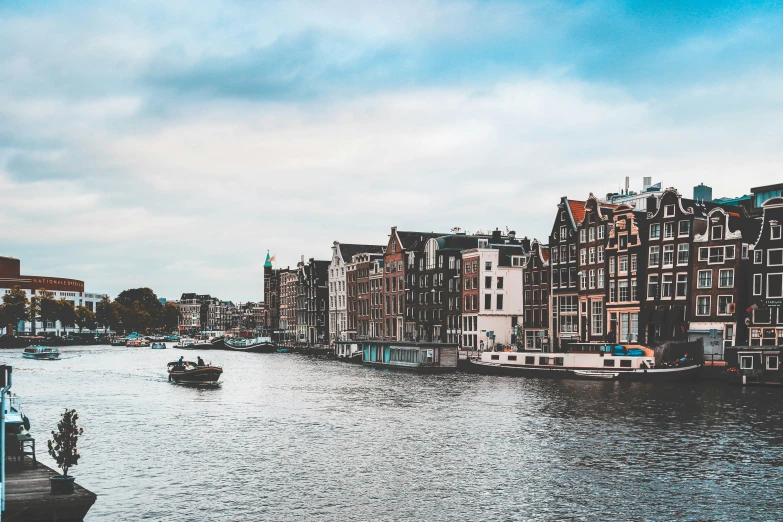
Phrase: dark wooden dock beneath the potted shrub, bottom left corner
(28, 496)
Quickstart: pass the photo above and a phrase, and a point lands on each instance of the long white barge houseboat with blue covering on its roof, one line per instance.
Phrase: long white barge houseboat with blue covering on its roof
(594, 361)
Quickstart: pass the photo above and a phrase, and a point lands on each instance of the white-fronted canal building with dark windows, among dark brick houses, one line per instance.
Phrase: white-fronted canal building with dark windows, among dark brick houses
(493, 295)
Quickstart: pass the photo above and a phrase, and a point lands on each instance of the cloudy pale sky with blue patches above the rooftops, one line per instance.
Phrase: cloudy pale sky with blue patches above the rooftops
(172, 144)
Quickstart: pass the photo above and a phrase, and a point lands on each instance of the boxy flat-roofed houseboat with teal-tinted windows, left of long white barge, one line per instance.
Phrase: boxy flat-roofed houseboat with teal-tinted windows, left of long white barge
(418, 357)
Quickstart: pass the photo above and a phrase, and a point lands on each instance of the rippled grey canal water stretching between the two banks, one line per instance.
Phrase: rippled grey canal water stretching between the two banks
(289, 437)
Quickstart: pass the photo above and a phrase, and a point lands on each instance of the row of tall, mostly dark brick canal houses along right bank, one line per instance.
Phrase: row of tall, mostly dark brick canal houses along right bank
(642, 270)
